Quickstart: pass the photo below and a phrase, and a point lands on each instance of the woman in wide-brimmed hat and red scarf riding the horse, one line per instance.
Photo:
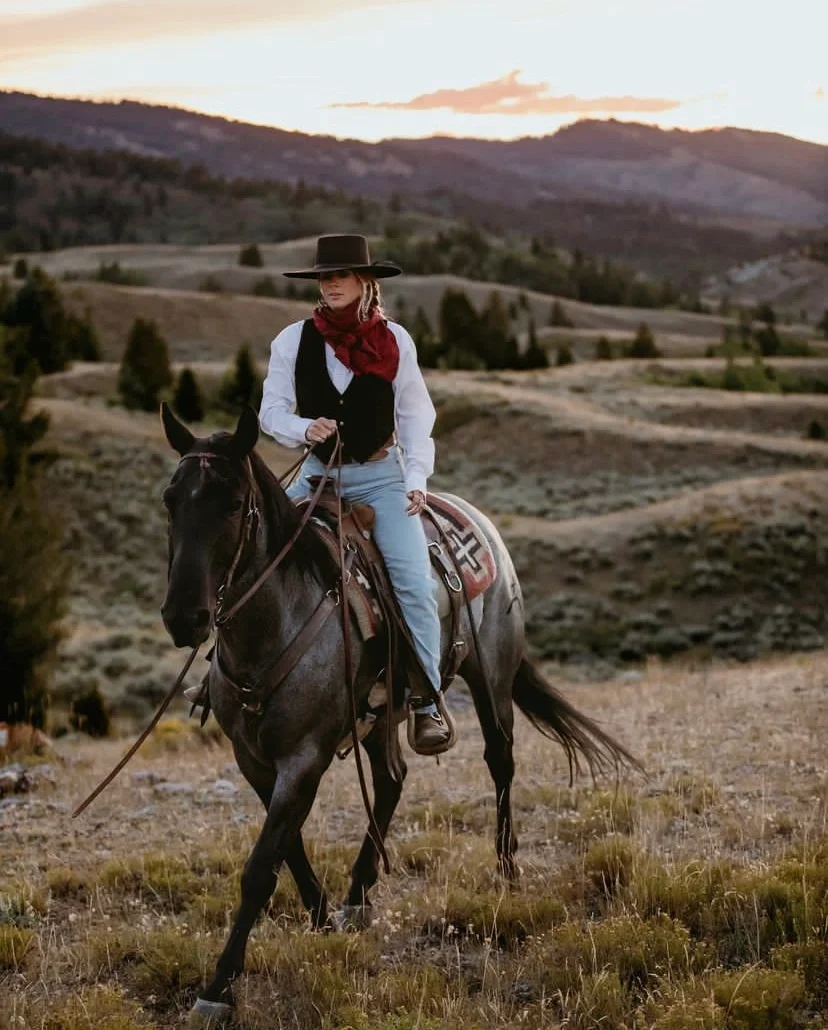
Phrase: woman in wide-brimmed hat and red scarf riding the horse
(350, 369)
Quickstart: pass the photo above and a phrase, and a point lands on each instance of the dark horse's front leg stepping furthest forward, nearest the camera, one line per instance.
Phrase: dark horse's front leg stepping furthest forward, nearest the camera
(297, 782)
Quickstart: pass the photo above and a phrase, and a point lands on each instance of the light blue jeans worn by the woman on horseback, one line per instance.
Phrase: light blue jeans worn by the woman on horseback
(401, 540)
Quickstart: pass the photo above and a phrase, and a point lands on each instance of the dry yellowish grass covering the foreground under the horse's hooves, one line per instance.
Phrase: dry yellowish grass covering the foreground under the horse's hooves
(697, 899)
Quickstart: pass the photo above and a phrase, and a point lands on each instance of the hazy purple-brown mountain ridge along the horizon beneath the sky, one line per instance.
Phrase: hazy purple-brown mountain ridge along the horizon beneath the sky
(702, 175)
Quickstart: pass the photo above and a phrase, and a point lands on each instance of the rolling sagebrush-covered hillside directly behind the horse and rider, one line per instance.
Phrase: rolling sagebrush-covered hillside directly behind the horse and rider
(633, 534)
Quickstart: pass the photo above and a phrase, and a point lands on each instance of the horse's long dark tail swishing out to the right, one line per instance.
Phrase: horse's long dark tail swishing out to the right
(556, 717)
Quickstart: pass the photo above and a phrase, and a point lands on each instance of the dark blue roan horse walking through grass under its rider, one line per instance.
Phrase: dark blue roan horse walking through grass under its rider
(285, 750)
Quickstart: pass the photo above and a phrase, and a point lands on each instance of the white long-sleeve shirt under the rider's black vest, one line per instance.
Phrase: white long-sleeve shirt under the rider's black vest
(415, 413)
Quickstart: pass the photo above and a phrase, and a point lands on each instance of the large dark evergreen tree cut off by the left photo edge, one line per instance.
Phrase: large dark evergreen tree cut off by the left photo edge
(33, 572)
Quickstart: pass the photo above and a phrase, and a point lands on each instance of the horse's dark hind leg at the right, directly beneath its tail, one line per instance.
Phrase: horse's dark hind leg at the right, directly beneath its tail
(499, 757)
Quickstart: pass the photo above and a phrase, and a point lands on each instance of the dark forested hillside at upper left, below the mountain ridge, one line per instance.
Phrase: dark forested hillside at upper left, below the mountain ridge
(57, 196)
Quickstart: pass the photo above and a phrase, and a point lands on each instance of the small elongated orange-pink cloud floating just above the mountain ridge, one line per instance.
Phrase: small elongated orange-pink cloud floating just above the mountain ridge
(508, 96)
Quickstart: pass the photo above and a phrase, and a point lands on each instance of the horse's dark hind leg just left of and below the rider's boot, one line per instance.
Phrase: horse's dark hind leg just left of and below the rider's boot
(387, 797)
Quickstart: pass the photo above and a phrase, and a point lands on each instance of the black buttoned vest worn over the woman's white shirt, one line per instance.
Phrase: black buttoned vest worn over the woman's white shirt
(365, 411)
